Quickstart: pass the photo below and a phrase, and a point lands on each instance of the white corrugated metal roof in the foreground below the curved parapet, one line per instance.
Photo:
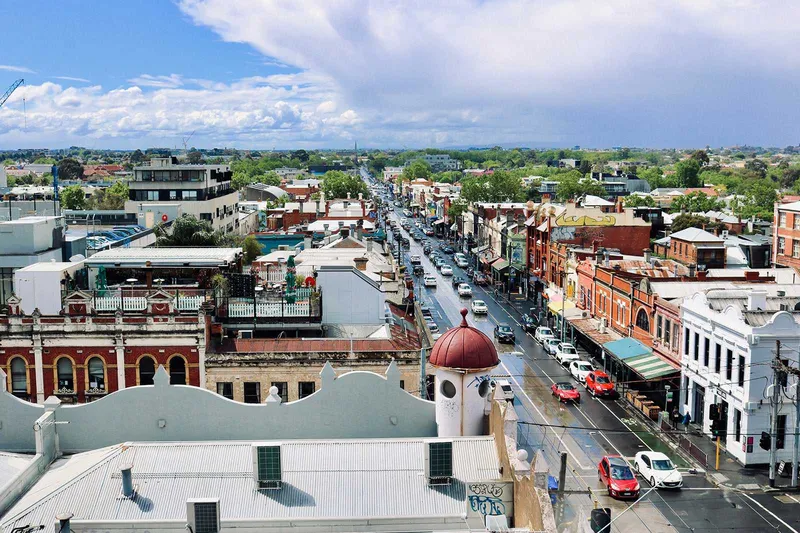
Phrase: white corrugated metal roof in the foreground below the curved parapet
(322, 479)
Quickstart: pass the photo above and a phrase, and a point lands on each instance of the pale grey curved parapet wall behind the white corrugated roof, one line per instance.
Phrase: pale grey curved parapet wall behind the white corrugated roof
(354, 405)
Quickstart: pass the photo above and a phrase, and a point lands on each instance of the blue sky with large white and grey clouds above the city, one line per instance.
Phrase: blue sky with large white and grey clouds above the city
(292, 74)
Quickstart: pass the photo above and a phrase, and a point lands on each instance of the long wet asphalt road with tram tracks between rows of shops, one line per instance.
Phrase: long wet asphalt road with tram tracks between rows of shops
(604, 428)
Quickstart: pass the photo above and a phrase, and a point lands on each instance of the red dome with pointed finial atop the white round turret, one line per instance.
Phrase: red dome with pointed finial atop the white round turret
(464, 347)
